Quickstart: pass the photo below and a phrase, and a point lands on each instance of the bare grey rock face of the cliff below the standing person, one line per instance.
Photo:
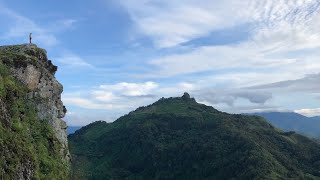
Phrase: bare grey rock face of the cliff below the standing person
(37, 73)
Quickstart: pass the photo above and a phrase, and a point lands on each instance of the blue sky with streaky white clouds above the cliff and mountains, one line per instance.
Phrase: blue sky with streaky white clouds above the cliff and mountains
(116, 55)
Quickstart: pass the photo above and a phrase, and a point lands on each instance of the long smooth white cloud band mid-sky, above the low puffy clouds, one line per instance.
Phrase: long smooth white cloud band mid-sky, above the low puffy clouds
(216, 58)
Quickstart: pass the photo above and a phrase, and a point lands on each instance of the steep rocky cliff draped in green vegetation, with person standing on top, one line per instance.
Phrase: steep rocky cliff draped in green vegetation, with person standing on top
(33, 140)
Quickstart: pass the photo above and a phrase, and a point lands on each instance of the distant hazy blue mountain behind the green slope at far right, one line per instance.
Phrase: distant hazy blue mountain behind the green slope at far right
(290, 121)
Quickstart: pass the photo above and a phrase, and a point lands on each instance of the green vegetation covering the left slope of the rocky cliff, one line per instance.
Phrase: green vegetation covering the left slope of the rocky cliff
(27, 145)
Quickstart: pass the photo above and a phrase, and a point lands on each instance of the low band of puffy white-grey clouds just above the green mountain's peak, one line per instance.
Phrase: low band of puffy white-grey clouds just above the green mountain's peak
(118, 99)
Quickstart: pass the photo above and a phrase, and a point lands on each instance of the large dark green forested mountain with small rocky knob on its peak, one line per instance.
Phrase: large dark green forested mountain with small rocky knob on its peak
(178, 138)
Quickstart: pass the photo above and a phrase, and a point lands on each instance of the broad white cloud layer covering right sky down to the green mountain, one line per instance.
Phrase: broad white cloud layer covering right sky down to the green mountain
(281, 49)
